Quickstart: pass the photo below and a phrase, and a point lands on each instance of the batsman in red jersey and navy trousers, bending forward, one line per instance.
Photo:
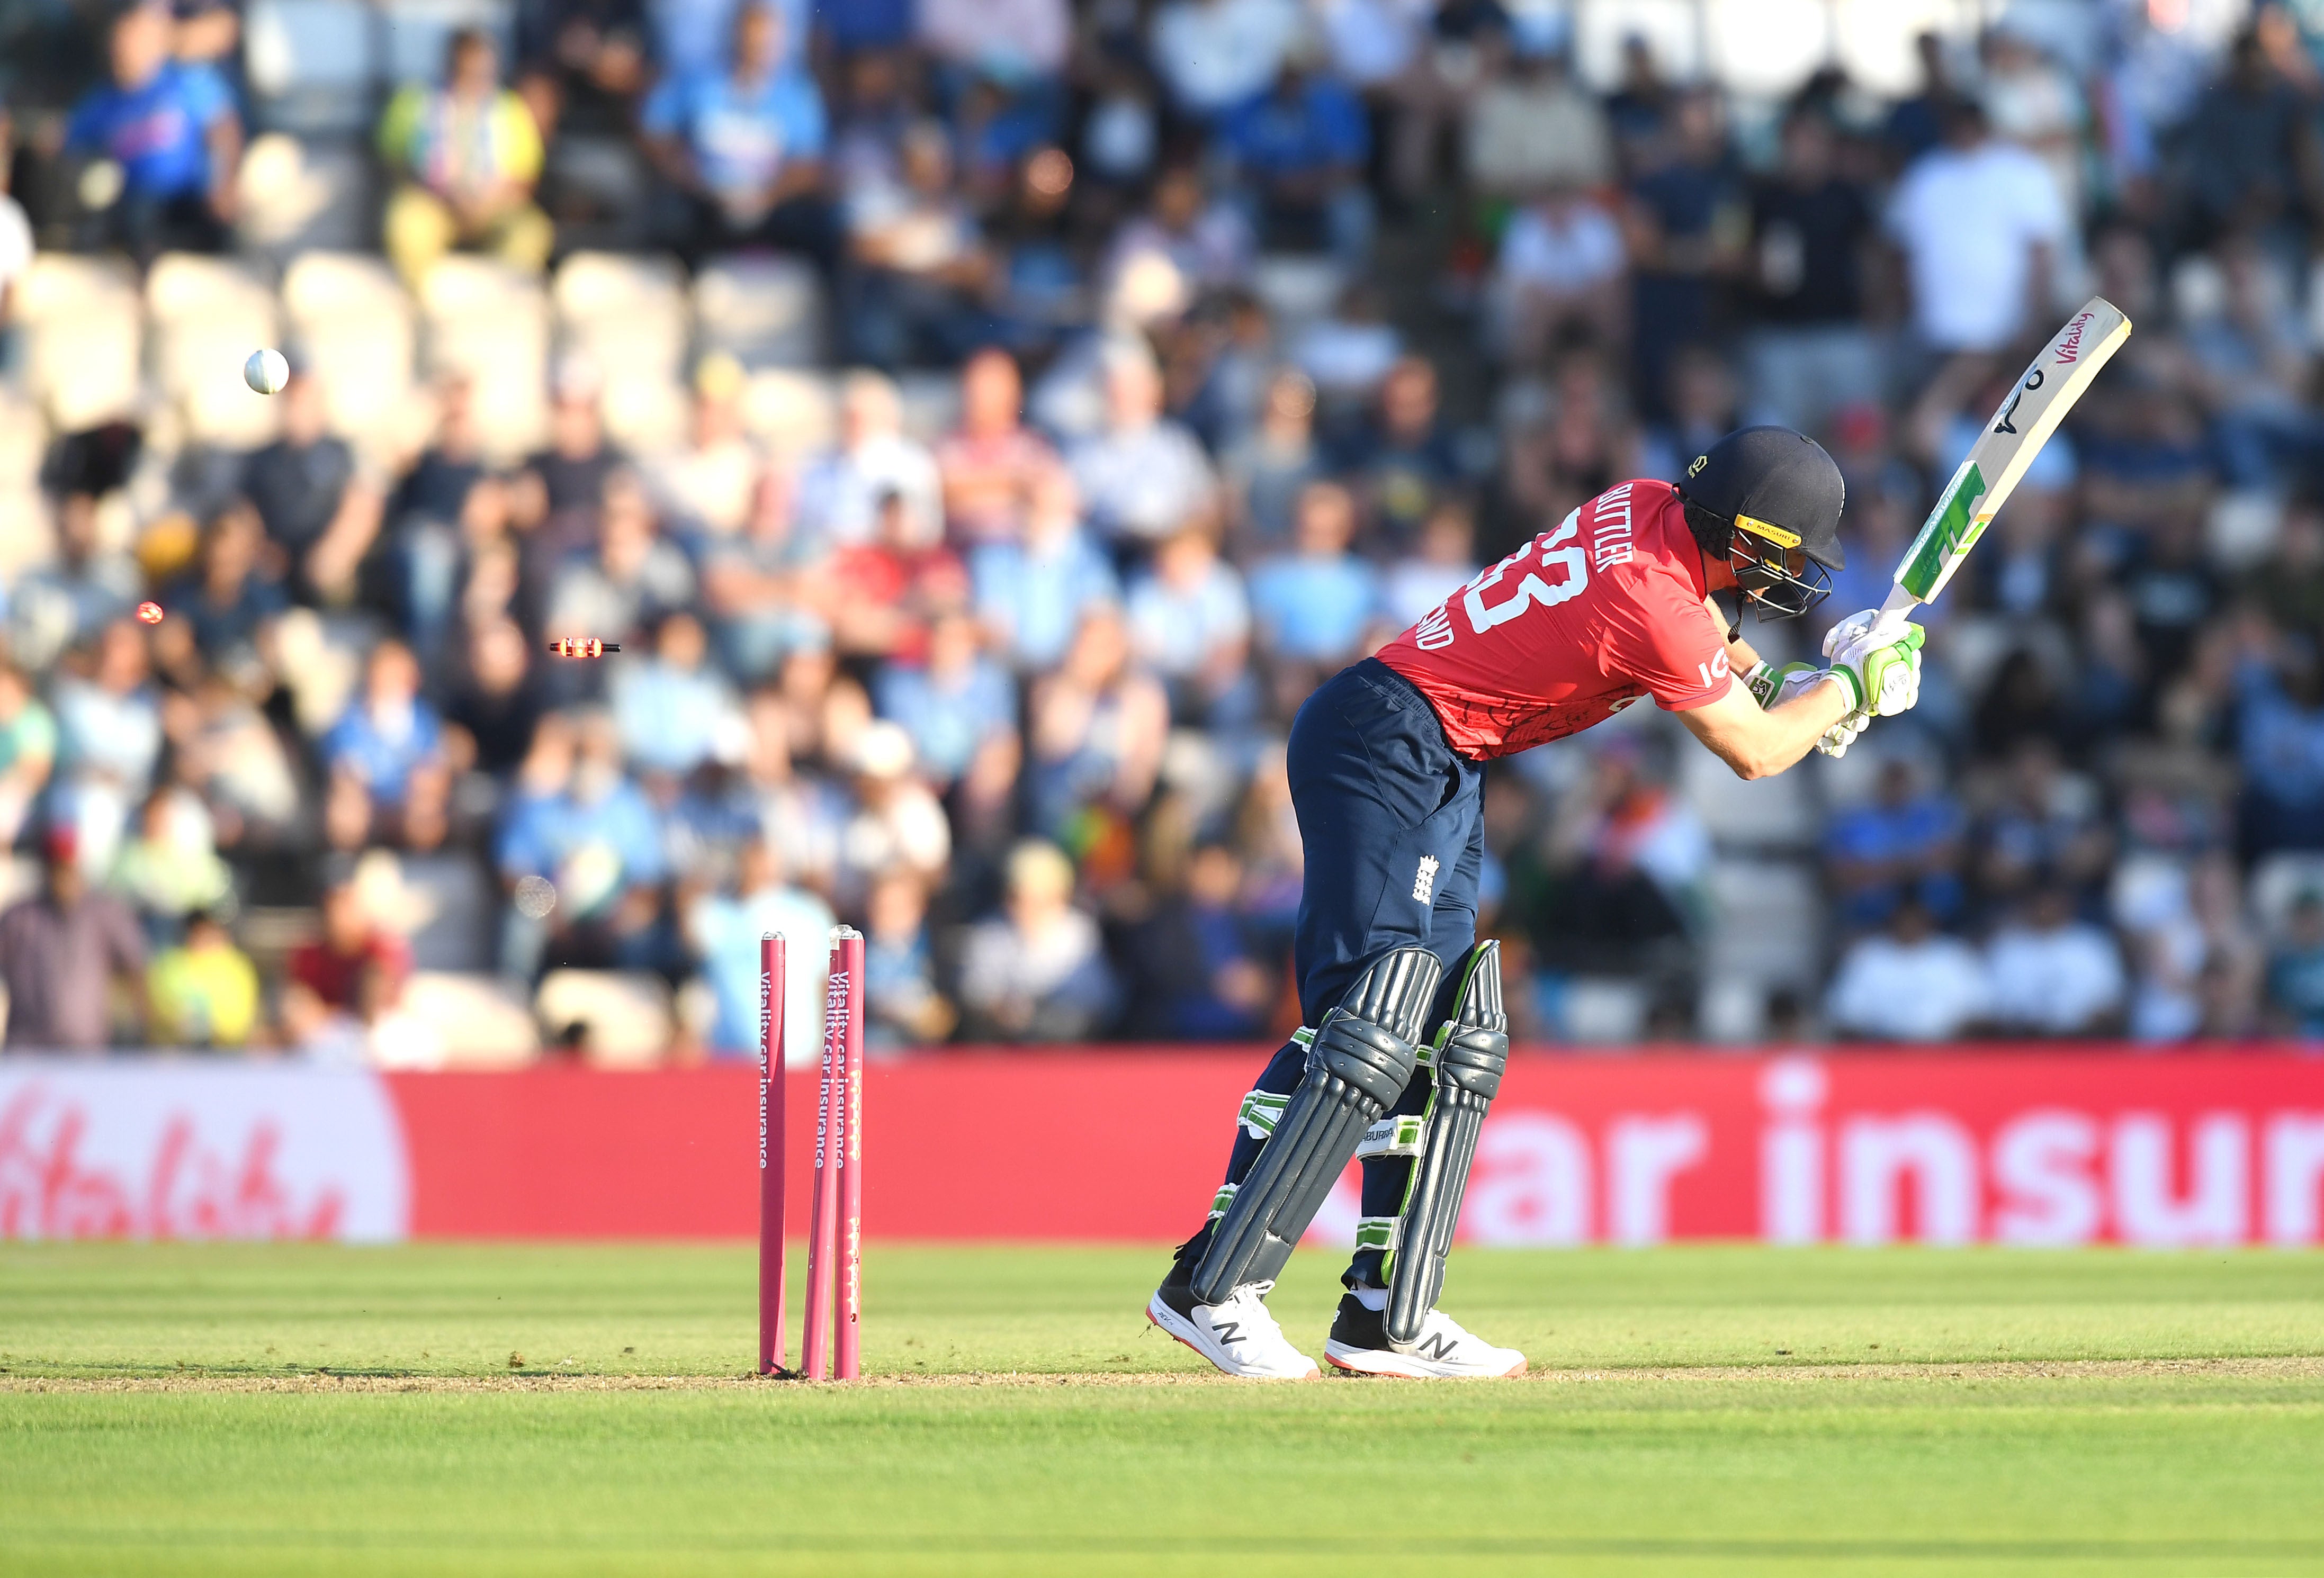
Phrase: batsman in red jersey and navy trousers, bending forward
(1405, 1038)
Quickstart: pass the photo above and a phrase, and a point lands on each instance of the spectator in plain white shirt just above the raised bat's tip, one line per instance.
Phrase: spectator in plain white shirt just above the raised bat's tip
(1981, 227)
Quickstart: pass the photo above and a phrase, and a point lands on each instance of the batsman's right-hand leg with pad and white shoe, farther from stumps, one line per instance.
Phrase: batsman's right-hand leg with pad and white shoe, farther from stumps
(1416, 1168)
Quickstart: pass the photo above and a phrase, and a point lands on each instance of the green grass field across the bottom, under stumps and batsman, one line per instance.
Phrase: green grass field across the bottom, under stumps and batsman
(529, 1410)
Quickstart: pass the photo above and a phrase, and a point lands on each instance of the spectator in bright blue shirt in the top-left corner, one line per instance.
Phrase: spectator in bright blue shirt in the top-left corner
(171, 129)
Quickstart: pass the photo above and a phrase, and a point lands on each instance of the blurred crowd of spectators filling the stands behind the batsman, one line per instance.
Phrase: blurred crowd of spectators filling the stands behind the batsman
(1182, 352)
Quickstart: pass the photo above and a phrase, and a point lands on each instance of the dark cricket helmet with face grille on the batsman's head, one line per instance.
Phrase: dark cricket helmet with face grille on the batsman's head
(1770, 501)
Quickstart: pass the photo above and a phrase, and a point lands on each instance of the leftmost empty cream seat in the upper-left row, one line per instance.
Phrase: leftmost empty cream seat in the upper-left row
(83, 329)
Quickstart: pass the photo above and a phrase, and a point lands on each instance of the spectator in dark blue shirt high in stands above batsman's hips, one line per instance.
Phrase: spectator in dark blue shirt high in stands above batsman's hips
(1303, 152)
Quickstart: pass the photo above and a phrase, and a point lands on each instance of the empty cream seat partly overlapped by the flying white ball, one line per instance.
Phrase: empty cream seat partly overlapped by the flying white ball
(206, 317)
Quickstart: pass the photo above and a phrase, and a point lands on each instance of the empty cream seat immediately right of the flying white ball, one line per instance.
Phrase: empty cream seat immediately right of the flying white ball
(354, 324)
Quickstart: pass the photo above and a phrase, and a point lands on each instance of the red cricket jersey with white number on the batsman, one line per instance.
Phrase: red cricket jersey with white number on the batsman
(1572, 629)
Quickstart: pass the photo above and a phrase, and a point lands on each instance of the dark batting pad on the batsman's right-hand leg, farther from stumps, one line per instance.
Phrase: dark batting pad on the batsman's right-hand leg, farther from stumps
(1472, 1054)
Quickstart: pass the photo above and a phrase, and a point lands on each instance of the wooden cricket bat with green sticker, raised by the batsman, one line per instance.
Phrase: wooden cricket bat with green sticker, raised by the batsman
(2002, 454)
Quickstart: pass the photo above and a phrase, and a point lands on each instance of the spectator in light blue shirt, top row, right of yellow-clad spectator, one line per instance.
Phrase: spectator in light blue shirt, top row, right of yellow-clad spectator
(745, 148)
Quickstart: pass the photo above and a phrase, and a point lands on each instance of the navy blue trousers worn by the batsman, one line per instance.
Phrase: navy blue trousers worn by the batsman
(1396, 845)
